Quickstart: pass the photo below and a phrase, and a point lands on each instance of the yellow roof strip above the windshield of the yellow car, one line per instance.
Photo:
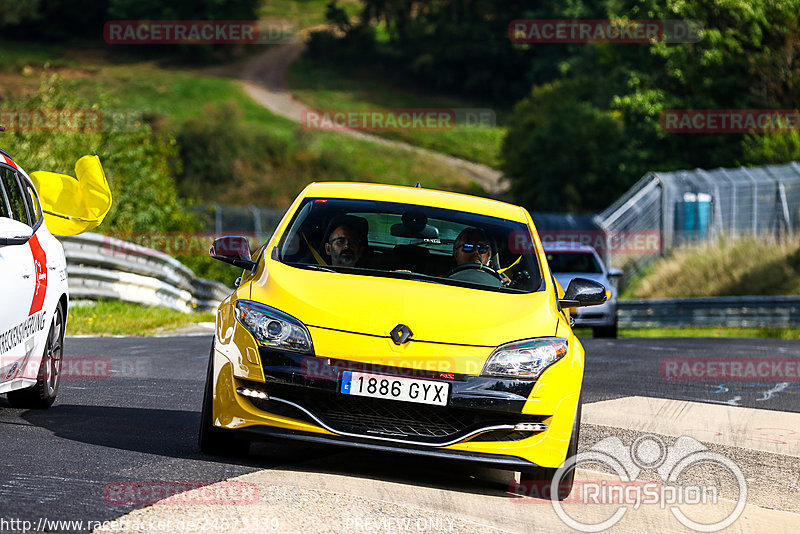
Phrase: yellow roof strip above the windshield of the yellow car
(418, 196)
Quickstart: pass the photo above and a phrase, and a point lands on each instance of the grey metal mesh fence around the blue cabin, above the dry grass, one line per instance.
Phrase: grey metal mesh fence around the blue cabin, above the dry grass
(691, 206)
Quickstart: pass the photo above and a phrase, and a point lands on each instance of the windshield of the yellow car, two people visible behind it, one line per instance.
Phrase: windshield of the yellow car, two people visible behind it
(407, 241)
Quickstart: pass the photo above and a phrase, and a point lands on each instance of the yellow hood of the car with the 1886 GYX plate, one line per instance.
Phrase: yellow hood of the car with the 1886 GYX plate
(372, 305)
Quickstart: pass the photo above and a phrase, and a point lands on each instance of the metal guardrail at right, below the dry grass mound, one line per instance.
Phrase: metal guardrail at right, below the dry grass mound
(746, 312)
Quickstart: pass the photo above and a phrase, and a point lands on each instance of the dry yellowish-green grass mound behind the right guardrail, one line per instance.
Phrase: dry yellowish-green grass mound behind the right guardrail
(747, 266)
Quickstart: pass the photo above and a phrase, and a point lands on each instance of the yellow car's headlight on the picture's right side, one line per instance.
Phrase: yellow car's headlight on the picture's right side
(525, 359)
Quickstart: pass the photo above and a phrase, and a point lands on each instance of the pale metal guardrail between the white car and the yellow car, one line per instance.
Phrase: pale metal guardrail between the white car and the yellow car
(103, 267)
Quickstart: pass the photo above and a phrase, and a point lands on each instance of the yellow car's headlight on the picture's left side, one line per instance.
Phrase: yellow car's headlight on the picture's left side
(273, 328)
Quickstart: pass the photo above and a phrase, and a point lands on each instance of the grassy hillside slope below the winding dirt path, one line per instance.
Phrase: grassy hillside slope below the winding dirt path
(265, 159)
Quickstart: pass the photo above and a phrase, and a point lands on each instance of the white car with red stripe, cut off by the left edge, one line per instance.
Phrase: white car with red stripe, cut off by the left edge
(33, 294)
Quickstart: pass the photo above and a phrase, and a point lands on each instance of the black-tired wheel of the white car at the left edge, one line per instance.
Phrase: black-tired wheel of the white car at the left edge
(43, 394)
